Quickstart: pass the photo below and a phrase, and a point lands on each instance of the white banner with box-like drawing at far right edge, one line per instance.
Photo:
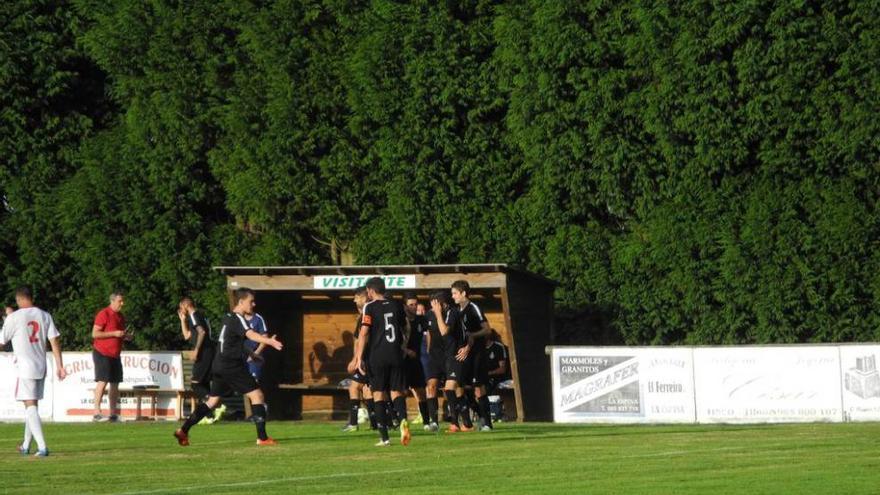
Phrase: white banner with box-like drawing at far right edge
(861, 382)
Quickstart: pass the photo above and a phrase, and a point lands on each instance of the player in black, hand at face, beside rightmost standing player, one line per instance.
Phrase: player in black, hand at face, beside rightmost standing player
(456, 367)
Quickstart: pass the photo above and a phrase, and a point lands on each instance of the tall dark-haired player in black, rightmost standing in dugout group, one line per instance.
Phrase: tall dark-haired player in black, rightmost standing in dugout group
(476, 328)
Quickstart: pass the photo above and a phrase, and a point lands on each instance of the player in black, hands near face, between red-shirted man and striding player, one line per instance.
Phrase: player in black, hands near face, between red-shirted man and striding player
(197, 331)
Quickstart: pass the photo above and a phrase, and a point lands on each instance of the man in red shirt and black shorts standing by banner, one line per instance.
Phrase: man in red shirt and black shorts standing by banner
(108, 333)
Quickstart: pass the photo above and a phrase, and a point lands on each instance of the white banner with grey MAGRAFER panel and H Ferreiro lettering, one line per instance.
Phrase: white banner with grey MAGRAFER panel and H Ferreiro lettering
(623, 385)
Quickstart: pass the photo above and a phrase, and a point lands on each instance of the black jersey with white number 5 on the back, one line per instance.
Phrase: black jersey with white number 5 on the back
(386, 320)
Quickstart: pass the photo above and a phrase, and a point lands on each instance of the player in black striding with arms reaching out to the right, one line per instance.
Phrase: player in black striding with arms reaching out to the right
(230, 372)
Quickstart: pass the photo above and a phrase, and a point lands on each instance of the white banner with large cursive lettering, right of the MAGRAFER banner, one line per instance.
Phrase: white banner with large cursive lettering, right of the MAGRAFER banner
(767, 384)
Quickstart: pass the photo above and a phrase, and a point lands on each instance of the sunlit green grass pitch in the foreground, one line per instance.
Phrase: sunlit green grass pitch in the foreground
(316, 458)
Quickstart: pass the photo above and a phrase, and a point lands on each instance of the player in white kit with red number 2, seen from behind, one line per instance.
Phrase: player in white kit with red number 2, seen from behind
(28, 329)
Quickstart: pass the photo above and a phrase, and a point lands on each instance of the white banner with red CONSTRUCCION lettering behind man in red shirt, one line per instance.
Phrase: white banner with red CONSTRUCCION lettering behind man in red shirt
(74, 395)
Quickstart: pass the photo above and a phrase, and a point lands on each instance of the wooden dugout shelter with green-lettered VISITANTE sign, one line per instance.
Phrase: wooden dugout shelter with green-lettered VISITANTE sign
(310, 308)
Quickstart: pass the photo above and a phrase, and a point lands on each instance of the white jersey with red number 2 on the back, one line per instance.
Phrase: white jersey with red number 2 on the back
(28, 329)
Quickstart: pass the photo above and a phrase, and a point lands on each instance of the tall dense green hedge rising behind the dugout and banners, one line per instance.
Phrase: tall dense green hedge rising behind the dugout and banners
(703, 172)
